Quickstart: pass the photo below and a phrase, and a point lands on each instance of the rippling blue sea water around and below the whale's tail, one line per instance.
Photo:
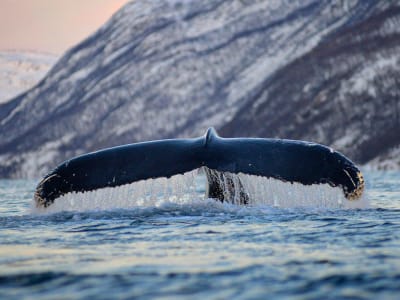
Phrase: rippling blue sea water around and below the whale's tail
(201, 249)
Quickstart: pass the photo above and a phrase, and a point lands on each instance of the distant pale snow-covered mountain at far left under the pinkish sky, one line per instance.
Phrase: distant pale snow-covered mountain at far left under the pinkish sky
(20, 71)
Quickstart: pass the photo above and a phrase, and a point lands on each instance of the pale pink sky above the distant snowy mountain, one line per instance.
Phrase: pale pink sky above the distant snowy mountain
(51, 26)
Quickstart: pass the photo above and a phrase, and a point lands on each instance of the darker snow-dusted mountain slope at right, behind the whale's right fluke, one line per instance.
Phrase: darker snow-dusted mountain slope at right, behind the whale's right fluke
(344, 93)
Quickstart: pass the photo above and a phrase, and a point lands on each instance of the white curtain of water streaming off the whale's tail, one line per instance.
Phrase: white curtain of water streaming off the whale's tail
(189, 188)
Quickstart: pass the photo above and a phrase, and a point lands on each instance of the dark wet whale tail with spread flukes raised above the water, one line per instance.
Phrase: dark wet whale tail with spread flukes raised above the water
(286, 160)
